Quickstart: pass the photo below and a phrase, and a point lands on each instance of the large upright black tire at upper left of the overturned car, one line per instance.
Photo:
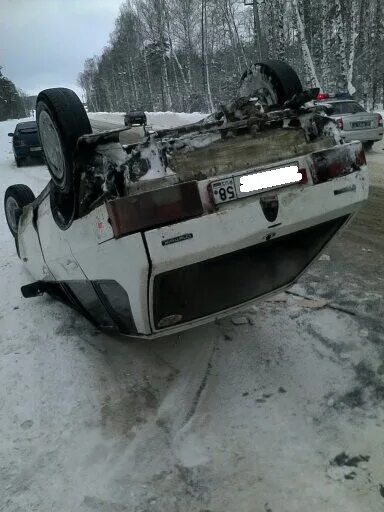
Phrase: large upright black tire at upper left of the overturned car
(61, 120)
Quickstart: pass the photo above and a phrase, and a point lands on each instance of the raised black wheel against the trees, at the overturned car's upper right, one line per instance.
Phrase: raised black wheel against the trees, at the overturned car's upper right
(276, 77)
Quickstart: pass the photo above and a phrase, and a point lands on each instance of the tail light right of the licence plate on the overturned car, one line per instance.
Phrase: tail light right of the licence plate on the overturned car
(338, 161)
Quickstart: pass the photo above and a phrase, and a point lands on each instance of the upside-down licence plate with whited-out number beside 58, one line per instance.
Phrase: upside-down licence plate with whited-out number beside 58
(237, 187)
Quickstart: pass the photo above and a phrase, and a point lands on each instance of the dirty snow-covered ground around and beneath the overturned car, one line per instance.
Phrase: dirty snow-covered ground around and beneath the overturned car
(225, 417)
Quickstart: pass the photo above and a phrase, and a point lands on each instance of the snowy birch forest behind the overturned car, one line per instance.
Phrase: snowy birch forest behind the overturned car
(188, 55)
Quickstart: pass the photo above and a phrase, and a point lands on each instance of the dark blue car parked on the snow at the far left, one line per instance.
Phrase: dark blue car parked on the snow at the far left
(26, 143)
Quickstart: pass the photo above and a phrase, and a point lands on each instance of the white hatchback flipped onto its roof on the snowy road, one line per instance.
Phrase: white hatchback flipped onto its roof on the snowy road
(189, 224)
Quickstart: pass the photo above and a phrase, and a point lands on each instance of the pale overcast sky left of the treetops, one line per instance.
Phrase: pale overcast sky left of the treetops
(43, 43)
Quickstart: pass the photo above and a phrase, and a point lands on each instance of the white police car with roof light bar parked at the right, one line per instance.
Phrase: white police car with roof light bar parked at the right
(354, 121)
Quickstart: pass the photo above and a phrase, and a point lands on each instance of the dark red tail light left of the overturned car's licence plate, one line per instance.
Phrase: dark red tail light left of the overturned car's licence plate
(156, 208)
